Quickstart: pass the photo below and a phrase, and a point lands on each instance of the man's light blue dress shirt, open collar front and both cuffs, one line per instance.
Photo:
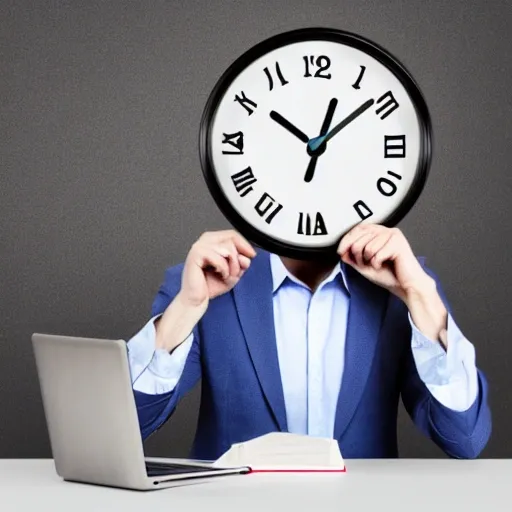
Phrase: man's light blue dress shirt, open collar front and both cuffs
(310, 335)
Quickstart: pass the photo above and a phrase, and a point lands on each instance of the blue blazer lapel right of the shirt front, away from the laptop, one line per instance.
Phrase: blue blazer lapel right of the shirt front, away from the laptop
(366, 312)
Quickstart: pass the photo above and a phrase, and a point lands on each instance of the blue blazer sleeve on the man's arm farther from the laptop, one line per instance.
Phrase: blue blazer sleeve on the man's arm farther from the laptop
(461, 435)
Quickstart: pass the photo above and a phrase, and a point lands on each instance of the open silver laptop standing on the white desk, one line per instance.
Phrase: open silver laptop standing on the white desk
(92, 418)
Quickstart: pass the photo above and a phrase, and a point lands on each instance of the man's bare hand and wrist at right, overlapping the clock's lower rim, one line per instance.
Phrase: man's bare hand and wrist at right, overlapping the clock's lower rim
(383, 255)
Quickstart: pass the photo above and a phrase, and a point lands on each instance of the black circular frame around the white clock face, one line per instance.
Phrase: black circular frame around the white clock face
(308, 34)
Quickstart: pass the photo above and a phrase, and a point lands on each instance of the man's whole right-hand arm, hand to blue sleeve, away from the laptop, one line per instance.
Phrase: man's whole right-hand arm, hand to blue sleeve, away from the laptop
(384, 256)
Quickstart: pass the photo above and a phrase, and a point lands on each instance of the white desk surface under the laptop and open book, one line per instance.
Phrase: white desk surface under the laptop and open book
(373, 485)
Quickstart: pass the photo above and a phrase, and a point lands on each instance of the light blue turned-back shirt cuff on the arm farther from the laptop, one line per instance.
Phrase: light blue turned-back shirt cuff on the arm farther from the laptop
(450, 374)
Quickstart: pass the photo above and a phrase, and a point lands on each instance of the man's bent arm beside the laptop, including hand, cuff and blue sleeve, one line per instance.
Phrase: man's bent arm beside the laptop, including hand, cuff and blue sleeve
(167, 360)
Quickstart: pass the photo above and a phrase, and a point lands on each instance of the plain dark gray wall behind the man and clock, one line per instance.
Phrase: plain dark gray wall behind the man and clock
(101, 189)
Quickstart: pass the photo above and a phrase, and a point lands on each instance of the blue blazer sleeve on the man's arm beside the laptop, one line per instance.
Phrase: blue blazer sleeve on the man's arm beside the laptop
(154, 410)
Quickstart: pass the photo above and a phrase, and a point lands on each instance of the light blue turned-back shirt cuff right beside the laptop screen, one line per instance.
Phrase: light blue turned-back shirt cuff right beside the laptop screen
(155, 371)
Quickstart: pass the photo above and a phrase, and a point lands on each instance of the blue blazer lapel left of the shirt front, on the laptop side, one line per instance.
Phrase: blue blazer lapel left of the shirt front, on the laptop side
(253, 300)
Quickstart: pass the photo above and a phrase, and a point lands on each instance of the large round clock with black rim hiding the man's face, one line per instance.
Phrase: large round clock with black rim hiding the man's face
(310, 133)
